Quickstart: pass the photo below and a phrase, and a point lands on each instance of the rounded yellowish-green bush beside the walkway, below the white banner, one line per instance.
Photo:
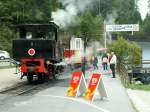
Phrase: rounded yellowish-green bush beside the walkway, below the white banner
(126, 52)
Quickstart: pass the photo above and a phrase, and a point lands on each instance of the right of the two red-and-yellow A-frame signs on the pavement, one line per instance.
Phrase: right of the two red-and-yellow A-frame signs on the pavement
(94, 84)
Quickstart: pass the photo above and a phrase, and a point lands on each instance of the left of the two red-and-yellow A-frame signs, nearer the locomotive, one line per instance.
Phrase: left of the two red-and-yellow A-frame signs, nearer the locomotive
(77, 84)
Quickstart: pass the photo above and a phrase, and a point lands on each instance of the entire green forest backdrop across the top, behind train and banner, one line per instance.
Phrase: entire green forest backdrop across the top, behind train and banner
(91, 20)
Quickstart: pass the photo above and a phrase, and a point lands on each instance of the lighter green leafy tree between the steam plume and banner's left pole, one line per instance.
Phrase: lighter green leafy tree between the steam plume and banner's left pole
(89, 27)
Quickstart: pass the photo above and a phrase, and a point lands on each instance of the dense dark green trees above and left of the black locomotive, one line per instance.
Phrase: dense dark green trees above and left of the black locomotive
(14, 11)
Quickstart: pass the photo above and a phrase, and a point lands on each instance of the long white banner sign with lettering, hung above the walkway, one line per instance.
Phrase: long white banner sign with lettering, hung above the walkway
(123, 27)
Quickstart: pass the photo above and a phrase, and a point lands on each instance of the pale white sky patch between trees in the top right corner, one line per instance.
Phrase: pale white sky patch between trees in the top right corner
(143, 7)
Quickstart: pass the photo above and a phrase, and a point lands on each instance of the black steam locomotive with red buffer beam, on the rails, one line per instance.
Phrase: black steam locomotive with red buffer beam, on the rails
(38, 50)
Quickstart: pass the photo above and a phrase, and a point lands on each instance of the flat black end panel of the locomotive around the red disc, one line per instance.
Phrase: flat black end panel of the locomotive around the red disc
(43, 48)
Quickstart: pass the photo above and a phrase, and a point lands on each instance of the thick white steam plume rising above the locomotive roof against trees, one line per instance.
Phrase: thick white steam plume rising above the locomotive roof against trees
(65, 17)
